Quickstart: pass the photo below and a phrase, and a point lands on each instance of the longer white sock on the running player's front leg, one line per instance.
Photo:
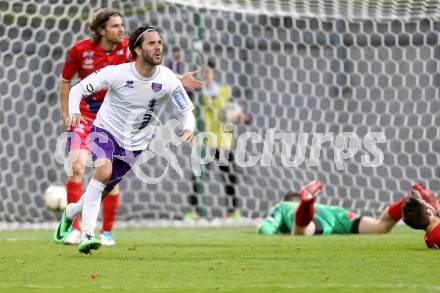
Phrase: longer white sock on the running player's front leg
(91, 205)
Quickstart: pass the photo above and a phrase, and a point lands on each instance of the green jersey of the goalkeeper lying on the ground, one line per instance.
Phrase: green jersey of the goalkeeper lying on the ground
(281, 219)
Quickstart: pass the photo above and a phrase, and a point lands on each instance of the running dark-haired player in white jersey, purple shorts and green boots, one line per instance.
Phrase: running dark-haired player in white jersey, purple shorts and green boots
(136, 91)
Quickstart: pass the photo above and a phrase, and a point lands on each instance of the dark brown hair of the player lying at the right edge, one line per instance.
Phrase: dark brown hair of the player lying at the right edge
(414, 213)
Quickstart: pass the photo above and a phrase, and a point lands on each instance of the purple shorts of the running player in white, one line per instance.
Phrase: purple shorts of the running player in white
(103, 145)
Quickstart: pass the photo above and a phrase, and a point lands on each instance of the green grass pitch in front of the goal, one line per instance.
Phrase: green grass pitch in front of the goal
(220, 259)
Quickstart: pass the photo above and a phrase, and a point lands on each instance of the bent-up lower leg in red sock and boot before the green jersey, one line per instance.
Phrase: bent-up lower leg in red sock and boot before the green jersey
(306, 209)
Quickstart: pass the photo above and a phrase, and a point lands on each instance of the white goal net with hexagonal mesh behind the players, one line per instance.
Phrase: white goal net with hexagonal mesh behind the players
(342, 69)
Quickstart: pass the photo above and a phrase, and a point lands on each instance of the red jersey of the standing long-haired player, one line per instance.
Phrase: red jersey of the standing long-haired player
(86, 57)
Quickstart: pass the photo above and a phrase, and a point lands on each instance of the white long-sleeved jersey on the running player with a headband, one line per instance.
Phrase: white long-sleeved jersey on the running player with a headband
(134, 102)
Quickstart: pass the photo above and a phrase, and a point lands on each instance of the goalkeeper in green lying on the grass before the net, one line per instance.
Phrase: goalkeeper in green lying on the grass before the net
(299, 215)
